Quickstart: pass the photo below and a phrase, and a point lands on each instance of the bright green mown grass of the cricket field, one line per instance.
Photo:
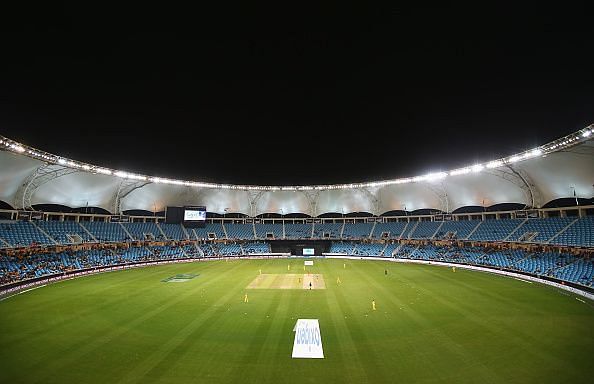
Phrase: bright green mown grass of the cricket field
(431, 325)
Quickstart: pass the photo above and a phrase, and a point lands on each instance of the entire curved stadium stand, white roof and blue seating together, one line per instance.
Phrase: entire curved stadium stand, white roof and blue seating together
(541, 234)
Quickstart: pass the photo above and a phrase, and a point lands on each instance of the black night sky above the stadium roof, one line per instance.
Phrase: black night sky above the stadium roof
(293, 96)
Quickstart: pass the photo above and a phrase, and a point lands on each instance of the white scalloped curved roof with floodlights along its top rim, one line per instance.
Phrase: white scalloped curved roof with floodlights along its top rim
(562, 168)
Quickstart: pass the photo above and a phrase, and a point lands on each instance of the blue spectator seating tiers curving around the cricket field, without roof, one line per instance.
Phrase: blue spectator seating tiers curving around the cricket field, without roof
(359, 240)
